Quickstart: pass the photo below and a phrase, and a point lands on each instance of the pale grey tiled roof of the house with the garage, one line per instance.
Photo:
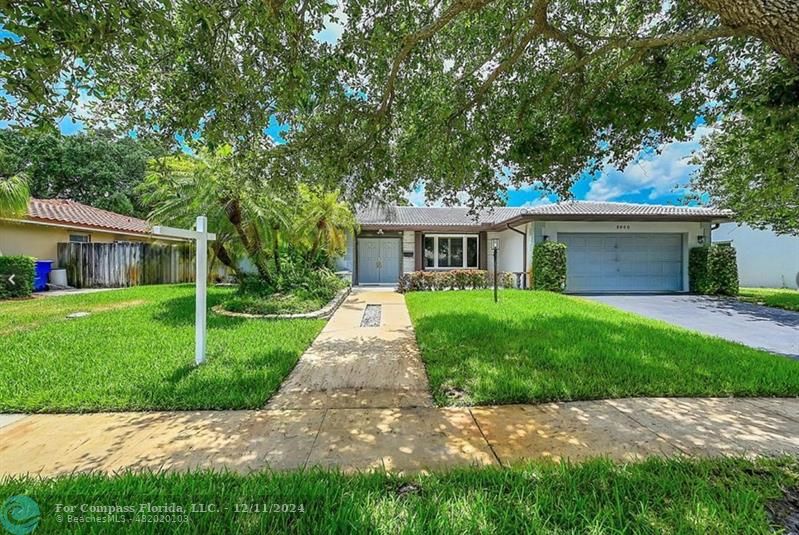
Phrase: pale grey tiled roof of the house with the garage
(453, 217)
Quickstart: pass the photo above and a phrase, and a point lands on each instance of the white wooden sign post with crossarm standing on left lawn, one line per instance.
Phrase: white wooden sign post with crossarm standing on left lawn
(201, 236)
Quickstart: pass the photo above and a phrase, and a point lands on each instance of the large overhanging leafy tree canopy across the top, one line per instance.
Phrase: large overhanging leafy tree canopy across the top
(468, 95)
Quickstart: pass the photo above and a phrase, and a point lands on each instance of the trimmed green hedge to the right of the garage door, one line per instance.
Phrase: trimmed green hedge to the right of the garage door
(713, 270)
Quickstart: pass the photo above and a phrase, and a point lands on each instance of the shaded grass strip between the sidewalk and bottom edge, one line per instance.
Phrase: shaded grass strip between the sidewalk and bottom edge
(655, 496)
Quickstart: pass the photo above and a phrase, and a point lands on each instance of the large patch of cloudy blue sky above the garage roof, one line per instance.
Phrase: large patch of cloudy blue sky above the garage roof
(658, 174)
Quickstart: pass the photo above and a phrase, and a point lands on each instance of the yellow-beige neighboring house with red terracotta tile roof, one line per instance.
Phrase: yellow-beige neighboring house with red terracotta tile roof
(53, 221)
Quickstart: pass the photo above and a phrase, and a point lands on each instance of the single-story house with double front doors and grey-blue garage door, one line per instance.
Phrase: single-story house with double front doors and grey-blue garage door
(612, 247)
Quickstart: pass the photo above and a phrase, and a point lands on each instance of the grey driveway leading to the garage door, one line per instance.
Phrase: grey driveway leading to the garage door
(762, 327)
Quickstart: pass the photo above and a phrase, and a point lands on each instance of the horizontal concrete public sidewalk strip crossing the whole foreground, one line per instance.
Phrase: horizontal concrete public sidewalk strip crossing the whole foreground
(398, 439)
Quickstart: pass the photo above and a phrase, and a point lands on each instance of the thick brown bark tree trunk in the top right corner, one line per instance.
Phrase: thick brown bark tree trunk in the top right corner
(774, 21)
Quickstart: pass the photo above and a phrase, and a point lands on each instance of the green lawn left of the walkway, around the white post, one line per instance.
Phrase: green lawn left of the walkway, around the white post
(136, 351)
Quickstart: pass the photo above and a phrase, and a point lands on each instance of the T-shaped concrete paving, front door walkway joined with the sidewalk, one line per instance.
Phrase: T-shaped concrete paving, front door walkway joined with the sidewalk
(358, 399)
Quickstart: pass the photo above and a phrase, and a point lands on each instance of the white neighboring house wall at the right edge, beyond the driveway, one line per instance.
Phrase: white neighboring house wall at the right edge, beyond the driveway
(765, 259)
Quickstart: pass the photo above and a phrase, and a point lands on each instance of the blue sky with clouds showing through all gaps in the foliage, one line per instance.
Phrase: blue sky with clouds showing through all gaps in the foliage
(653, 178)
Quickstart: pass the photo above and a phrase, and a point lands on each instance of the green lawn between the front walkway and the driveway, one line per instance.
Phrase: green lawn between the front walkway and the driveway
(540, 346)
